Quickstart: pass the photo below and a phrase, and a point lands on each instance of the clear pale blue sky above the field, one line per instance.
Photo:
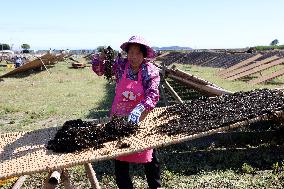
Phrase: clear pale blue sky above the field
(75, 24)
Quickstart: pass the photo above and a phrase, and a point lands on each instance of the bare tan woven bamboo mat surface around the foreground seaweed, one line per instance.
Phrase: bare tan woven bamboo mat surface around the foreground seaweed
(24, 153)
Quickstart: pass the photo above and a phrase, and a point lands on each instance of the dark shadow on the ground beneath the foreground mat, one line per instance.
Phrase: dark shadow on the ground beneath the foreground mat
(221, 151)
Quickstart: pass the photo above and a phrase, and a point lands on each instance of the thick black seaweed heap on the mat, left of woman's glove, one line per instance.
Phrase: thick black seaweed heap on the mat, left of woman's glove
(76, 135)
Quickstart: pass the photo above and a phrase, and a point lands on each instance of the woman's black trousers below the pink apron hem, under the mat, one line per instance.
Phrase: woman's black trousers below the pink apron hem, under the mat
(152, 171)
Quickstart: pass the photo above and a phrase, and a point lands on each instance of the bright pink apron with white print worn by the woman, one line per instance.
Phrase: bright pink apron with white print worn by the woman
(128, 94)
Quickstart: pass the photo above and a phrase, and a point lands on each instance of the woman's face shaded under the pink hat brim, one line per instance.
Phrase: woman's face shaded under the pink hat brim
(135, 55)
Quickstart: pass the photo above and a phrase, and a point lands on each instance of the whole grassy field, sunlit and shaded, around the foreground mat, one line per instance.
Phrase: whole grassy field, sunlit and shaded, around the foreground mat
(37, 100)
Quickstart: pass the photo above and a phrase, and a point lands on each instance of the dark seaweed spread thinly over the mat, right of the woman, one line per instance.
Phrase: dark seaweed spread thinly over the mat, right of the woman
(207, 113)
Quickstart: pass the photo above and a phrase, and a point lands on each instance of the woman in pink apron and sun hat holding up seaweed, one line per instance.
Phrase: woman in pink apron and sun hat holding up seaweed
(136, 93)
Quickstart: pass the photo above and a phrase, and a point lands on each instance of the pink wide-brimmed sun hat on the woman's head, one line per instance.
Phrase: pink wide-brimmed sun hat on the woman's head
(142, 41)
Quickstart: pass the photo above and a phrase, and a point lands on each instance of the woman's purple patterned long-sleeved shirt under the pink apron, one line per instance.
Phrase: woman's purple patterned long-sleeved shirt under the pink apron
(150, 78)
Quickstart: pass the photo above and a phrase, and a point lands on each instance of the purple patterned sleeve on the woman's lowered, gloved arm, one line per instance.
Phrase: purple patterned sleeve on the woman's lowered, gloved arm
(151, 87)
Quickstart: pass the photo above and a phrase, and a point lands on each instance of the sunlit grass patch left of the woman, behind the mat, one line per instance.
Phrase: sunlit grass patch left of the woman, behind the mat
(67, 93)
